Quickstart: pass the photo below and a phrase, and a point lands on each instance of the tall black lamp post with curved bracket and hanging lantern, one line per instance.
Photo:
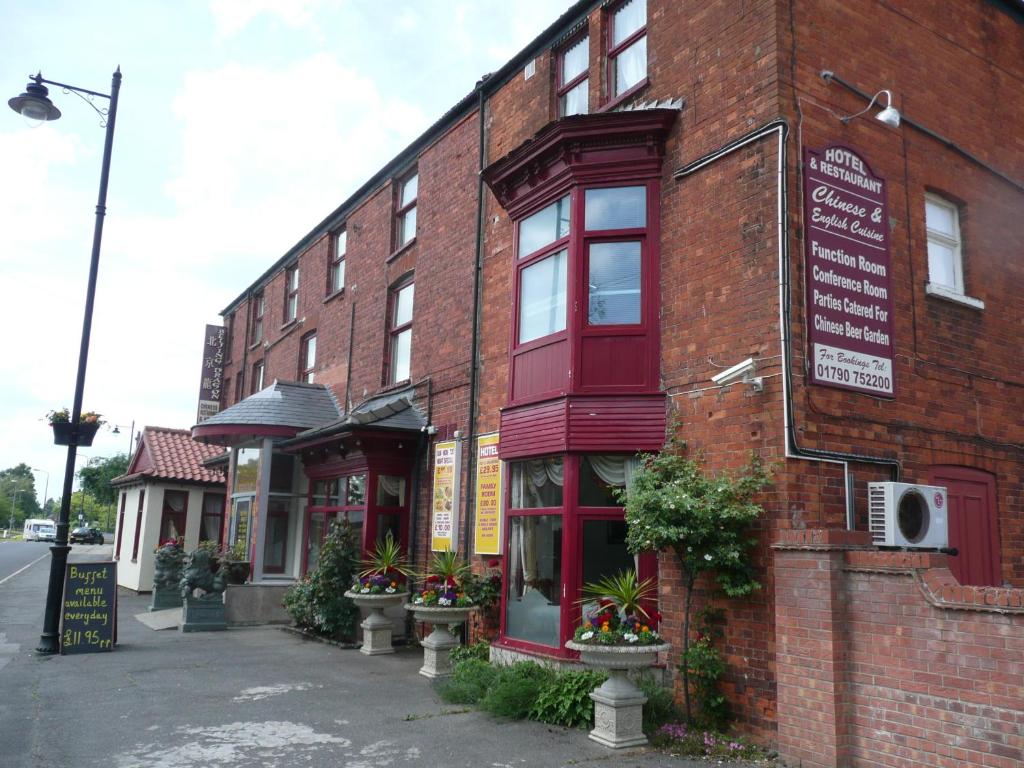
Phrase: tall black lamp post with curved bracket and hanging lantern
(35, 106)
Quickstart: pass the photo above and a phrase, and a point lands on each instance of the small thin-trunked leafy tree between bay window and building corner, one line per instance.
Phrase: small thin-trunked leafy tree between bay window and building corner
(704, 520)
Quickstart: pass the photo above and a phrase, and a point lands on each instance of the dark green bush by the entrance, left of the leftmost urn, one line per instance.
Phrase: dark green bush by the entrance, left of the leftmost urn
(318, 603)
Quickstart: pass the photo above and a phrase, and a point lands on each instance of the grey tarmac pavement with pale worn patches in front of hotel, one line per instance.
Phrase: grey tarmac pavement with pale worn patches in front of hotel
(245, 698)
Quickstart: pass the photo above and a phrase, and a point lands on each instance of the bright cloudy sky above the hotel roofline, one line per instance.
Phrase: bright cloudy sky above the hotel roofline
(242, 124)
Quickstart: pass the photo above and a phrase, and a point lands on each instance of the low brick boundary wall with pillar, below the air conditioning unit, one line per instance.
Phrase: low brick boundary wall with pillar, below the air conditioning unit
(884, 660)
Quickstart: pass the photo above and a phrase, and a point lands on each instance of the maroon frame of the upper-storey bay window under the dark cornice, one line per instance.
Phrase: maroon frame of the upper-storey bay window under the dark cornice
(578, 244)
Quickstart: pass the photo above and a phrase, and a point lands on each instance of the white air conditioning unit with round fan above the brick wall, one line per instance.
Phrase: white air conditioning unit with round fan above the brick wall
(905, 515)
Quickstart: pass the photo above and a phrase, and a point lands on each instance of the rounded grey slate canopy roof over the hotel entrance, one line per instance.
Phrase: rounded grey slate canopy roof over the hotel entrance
(284, 404)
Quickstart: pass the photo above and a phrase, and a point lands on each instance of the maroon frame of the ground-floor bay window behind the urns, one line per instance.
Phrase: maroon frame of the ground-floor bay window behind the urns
(573, 518)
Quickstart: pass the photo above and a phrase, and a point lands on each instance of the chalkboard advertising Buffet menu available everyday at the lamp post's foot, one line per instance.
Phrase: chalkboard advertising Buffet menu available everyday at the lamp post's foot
(90, 614)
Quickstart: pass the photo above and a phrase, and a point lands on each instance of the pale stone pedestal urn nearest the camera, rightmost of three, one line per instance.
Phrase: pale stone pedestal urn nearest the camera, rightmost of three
(618, 703)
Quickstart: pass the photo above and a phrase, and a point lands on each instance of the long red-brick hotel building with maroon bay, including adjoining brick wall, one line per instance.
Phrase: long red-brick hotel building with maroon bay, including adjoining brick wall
(659, 193)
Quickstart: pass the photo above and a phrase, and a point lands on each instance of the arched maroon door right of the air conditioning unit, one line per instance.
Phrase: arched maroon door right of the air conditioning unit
(973, 526)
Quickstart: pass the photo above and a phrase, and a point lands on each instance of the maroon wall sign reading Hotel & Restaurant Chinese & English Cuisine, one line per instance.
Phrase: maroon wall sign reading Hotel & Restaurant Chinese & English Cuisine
(849, 273)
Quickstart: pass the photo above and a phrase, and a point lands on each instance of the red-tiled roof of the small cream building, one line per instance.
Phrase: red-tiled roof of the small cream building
(173, 455)
